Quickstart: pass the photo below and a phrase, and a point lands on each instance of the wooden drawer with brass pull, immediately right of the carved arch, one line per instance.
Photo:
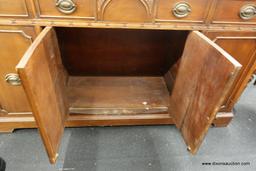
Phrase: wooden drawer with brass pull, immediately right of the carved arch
(182, 11)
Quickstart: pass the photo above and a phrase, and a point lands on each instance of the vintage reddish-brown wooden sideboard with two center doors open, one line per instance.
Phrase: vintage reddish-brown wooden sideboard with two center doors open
(71, 63)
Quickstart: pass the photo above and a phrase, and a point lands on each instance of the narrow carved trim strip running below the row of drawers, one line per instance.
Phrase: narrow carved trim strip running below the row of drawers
(96, 24)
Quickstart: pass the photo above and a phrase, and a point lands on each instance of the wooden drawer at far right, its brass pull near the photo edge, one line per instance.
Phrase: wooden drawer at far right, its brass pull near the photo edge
(235, 11)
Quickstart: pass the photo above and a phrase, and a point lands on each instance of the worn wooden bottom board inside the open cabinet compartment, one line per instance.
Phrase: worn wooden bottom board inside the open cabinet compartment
(118, 95)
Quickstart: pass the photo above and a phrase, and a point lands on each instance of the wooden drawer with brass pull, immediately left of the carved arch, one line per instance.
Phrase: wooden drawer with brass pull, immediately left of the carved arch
(80, 9)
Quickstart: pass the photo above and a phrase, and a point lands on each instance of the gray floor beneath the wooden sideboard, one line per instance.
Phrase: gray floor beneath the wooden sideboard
(139, 148)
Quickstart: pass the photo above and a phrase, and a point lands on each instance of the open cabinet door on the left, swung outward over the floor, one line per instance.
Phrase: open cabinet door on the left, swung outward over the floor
(43, 78)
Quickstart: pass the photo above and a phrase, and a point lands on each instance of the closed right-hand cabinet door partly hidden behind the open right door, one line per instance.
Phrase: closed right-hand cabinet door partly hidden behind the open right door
(242, 46)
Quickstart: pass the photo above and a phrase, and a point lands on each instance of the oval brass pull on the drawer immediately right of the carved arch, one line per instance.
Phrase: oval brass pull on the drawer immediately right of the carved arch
(181, 9)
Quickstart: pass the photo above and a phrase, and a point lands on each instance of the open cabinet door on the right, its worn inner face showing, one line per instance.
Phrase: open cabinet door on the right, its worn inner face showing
(205, 75)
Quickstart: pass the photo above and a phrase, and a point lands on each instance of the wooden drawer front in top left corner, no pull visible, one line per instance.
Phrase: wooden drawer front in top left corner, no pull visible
(13, 8)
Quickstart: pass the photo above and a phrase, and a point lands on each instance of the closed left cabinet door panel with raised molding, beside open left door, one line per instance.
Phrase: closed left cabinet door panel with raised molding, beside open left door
(16, 40)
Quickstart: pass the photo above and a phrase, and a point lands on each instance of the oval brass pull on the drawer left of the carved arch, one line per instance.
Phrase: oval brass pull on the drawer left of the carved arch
(66, 6)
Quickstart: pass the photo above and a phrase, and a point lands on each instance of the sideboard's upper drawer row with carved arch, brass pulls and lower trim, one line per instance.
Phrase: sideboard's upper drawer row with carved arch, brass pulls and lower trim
(138, 14)
